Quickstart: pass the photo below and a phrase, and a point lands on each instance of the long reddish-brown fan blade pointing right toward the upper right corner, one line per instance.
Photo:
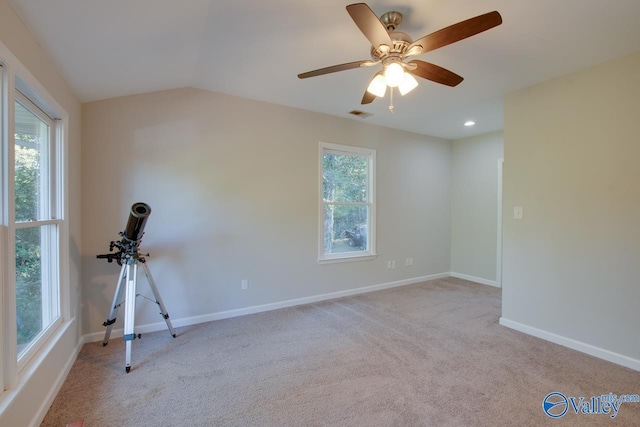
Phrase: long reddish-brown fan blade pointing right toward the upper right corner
(455, 32)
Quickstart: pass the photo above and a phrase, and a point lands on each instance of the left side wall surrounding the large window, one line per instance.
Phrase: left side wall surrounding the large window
(35, 390)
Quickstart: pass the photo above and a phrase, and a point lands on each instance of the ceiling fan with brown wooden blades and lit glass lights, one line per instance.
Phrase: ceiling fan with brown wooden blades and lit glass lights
(391, 48)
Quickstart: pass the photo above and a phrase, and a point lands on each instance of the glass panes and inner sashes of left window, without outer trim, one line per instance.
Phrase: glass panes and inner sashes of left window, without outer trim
(36, 224)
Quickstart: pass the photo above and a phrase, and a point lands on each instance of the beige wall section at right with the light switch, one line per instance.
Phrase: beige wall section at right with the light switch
(572, 265)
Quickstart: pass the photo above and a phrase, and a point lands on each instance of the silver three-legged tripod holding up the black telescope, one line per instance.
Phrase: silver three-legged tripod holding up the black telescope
(127, 283)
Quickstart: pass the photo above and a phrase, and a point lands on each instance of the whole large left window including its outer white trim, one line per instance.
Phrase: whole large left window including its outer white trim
(34, 265)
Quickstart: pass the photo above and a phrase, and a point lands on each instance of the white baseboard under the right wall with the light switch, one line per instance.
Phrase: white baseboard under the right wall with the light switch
(598, 352)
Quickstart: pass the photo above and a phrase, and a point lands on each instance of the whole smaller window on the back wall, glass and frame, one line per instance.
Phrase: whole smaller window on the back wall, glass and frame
(347, 203)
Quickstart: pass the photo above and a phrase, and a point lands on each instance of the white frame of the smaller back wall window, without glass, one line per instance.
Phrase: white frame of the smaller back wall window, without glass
(370, 155)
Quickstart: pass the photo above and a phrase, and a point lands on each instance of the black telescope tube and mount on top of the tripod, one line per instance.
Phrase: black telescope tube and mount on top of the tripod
(131, 236)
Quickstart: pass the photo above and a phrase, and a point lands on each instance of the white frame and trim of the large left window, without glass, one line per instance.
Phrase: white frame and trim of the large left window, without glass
(16, 77)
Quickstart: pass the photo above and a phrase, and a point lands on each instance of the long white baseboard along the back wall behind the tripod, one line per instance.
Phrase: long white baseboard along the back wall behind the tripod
(188, 321)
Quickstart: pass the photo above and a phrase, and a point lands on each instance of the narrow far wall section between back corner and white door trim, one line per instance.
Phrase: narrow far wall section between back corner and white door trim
(474, 207)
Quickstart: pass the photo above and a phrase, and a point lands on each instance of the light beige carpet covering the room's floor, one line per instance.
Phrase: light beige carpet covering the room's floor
(431, 354)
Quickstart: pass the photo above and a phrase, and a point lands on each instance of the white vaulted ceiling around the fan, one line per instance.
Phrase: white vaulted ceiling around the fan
(255, 49)
